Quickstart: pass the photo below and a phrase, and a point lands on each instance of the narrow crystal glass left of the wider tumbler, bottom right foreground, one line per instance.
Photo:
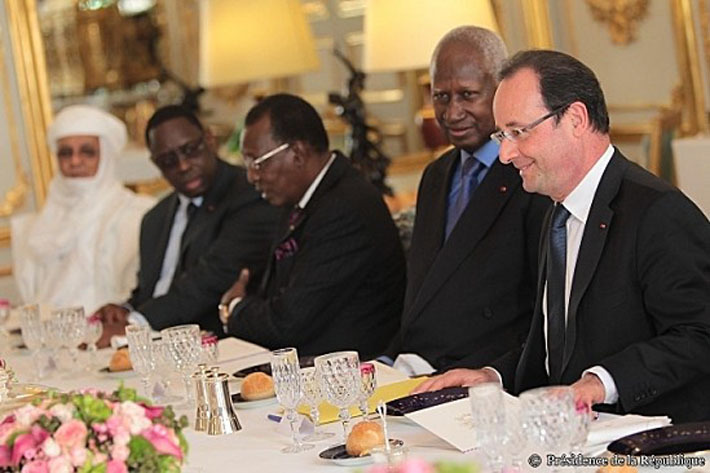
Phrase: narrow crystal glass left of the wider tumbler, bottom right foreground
(488, 416)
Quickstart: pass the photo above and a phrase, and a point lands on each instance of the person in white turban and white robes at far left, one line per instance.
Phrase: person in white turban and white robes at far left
(82, 247)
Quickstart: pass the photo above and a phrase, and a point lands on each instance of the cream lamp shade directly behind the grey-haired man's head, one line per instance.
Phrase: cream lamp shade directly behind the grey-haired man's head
(402, 34)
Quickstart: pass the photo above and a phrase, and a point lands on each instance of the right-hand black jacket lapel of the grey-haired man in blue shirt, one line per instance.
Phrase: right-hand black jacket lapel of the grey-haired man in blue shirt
(480, 214)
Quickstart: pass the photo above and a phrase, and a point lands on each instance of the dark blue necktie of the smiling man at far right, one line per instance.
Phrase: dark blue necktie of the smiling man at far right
(556, 269)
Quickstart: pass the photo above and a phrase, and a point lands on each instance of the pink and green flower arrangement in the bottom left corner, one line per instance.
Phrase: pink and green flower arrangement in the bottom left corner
(92, 432)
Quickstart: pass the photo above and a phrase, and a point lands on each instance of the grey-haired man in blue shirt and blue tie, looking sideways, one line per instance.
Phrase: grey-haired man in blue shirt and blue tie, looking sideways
(472, 261)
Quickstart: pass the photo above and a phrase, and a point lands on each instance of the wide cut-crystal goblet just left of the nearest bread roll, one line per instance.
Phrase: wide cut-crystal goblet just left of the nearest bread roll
(341, 382)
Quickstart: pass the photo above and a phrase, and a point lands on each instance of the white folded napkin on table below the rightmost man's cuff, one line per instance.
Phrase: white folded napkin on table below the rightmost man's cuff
(610, 427)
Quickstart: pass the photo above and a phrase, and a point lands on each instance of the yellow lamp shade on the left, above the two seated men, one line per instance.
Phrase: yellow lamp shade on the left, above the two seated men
(248, 40)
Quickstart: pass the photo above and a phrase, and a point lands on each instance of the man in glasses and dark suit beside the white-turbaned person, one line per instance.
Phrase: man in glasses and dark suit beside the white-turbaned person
(197, 239)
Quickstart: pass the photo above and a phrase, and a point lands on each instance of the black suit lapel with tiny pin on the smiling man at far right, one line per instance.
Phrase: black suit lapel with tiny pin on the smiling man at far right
(595, 232)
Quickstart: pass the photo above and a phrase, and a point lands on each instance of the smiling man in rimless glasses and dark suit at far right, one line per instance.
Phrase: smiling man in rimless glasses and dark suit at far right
(623, 299)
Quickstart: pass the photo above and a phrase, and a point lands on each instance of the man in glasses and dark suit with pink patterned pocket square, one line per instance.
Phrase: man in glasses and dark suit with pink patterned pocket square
(336, 276)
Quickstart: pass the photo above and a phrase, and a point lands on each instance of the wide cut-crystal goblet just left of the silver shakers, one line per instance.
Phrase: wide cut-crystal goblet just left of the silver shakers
(185, 346)
